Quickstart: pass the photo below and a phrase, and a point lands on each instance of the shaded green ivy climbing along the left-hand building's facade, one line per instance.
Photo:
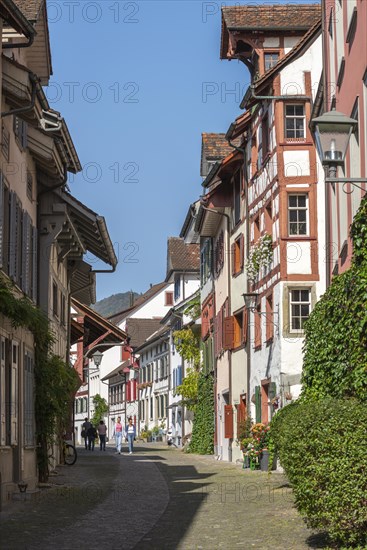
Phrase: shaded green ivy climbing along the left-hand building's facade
(55, 382)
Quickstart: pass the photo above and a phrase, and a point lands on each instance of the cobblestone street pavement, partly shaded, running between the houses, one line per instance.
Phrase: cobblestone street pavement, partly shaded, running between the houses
(157, 498)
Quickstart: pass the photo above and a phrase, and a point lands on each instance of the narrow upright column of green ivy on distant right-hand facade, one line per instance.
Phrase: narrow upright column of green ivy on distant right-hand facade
(202, 441)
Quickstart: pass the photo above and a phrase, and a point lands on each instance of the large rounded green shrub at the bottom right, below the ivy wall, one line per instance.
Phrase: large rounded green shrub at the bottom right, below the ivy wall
(322, 448)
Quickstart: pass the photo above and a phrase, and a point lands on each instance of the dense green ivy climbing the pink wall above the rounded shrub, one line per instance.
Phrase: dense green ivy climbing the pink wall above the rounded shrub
(335, 348)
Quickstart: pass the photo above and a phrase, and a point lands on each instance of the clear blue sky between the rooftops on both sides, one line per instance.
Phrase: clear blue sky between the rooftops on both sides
(131, 78)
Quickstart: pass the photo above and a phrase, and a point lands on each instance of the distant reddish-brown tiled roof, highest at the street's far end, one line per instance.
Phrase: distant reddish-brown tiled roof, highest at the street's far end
(182, 256)
